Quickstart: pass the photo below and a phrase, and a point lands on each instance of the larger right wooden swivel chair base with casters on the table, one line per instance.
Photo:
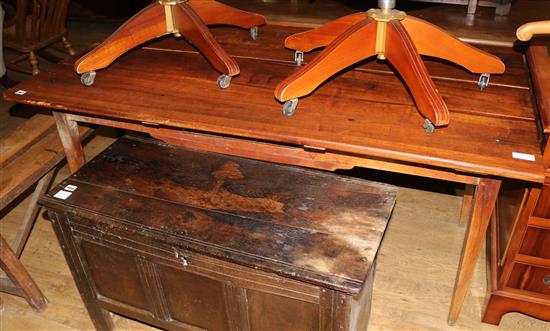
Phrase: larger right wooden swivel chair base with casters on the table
(388, 34)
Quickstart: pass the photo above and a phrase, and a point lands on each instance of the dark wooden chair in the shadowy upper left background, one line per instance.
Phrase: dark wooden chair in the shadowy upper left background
(36, 25)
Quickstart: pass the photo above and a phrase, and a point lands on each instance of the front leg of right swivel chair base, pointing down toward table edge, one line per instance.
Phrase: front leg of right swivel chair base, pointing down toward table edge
(402, 54)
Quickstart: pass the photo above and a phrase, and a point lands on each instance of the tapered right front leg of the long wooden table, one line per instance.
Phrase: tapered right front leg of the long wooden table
(483, 205)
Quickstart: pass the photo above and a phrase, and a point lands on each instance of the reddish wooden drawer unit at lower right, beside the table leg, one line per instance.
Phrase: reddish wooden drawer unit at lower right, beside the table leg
(519, 286)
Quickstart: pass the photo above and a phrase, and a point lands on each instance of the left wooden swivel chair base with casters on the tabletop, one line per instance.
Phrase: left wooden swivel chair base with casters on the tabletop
(186, 18)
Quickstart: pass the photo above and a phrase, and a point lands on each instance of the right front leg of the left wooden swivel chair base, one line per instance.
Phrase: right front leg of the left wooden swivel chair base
(190, 25)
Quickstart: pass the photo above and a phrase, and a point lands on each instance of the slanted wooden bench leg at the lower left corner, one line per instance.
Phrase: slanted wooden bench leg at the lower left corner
(21, 282)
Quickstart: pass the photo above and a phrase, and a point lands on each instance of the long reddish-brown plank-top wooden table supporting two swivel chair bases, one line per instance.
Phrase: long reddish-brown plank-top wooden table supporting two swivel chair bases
(362, 118)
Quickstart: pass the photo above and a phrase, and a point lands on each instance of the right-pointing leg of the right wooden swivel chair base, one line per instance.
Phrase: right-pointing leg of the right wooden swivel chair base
(433, 41)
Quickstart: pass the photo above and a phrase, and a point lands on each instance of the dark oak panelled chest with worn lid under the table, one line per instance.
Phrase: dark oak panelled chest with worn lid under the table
(188, 240)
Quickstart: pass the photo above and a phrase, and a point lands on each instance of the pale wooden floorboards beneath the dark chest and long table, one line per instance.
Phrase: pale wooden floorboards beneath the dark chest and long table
(430, 271)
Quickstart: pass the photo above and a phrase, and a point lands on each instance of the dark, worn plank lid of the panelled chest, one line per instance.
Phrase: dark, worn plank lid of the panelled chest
(312, 226)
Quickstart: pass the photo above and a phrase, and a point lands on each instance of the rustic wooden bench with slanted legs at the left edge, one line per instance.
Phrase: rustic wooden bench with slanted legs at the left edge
(28, 155)
